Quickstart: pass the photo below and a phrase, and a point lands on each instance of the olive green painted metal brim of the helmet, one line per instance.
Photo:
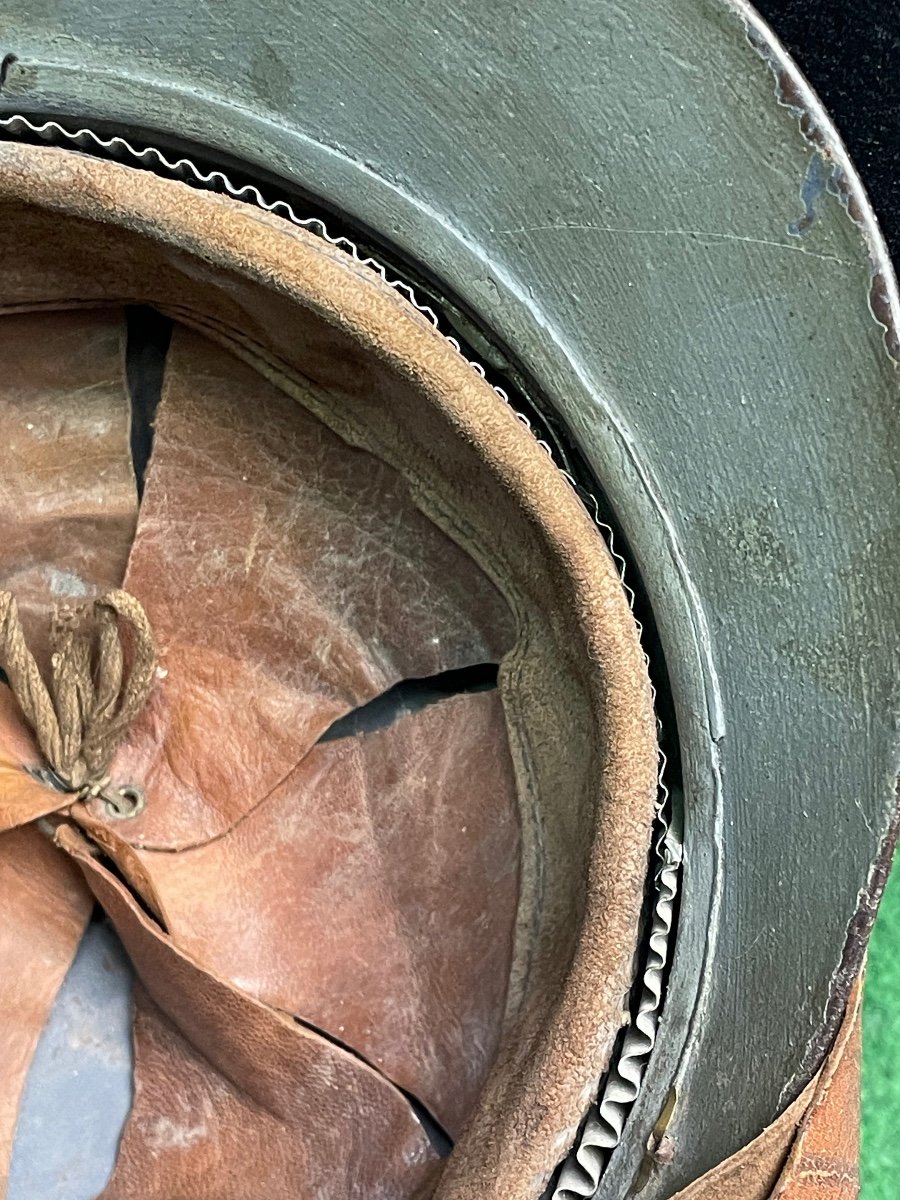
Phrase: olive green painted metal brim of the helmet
(609, 194)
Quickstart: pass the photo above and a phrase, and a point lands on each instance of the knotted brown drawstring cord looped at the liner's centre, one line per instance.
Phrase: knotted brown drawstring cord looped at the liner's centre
(82, 719)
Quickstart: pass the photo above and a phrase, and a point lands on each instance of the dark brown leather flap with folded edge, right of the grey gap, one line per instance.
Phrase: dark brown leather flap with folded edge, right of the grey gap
(229, 1090)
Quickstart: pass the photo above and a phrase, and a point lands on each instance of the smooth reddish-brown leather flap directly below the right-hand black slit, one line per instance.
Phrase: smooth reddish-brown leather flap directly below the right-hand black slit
(374, 895)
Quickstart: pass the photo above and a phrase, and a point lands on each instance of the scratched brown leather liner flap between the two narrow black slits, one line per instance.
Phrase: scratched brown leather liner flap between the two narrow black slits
(290, 578)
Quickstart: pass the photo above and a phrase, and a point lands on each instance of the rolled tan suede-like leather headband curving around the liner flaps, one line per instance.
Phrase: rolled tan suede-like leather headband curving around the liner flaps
(575, 688)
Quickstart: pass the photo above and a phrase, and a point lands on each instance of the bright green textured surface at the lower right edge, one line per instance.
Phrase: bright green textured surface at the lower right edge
(880, 1167)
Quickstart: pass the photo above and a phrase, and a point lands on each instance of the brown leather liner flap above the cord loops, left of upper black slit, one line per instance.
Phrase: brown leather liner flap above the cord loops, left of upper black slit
(68, 494)
